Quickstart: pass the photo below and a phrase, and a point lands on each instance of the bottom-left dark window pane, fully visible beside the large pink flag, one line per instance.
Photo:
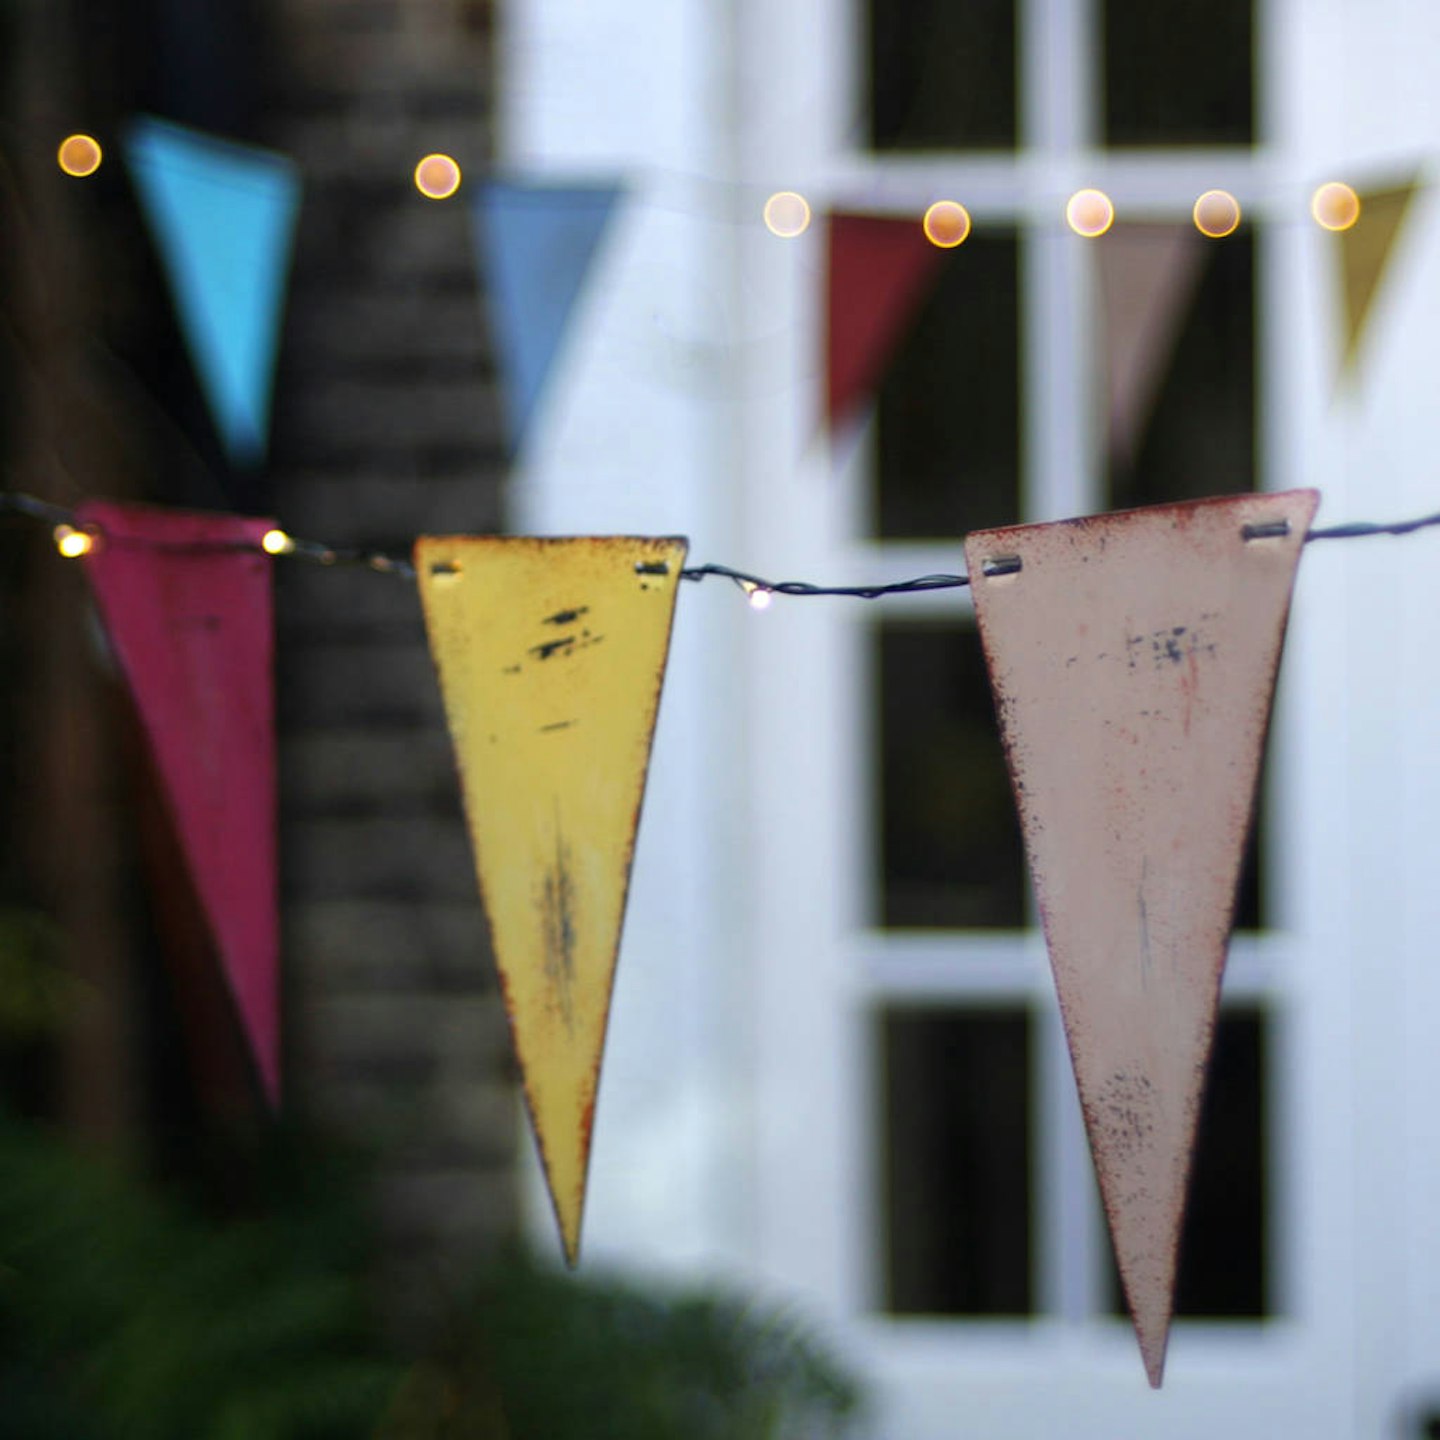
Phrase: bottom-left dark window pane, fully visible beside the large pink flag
(957, 1180)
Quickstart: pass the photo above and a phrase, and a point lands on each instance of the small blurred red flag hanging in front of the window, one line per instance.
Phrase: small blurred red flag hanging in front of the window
(879, 274)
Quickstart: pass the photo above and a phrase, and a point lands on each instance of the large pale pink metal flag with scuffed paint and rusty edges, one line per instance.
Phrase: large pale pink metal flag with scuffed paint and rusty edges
(1133, 660)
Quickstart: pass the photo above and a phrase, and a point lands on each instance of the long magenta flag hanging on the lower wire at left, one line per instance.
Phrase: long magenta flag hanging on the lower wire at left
(188, 604)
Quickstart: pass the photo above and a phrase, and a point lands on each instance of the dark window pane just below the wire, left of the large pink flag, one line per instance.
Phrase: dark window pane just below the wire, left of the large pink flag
(951, 849)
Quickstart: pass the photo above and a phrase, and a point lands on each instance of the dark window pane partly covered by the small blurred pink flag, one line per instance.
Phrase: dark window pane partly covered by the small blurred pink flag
(1202, 433)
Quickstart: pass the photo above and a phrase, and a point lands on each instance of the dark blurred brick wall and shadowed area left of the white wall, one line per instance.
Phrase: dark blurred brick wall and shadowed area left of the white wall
(387, 426)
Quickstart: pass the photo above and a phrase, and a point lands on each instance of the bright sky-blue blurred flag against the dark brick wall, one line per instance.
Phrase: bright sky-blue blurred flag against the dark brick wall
(224, 218)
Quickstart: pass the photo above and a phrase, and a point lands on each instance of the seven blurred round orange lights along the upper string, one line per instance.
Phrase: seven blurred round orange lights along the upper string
(787, 214)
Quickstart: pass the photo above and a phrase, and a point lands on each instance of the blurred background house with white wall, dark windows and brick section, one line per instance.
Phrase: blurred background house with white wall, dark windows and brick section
(836, 1074)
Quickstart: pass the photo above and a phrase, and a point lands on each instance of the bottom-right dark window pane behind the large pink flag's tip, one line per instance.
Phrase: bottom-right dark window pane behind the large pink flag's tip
(1223, 1248)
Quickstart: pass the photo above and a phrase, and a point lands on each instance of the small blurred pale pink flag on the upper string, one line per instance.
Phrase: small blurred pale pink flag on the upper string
(1148, 279)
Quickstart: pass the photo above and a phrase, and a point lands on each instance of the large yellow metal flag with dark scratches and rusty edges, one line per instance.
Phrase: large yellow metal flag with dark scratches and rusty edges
(551, 657)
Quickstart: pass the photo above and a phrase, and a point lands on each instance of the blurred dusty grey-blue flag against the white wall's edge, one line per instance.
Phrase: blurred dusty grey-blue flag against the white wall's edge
(536, 244)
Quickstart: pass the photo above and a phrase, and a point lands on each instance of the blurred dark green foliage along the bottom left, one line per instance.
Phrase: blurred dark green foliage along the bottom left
(125, 1315)
